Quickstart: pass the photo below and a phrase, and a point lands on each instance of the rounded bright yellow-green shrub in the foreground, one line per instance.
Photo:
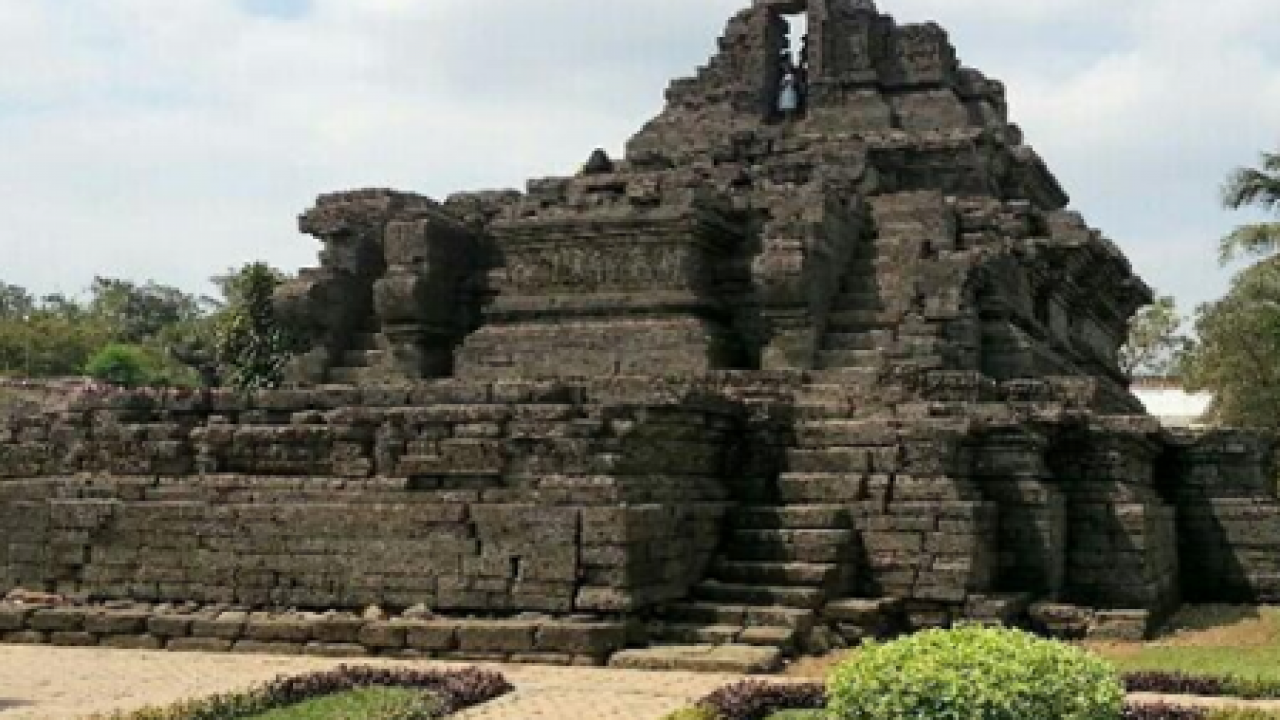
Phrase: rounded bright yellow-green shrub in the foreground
(976, 675)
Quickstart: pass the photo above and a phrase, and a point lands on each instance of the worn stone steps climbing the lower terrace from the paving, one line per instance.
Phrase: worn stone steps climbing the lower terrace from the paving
(789, 553)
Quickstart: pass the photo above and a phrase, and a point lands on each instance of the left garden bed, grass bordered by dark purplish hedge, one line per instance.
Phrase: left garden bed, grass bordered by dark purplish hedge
(349, 692)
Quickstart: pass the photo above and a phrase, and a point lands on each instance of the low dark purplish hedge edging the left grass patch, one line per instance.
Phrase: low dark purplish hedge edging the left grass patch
(456, 690)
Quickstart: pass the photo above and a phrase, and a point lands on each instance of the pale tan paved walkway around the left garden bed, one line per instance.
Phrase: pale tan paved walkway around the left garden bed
(44, 683)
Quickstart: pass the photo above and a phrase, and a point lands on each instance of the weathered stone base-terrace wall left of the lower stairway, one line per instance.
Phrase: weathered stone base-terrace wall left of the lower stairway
(477, 498)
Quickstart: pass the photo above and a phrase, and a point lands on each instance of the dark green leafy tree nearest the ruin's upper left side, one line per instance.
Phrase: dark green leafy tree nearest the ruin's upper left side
(252, 345)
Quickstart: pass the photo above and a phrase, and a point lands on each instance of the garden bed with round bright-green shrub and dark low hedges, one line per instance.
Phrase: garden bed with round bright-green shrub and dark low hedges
(982, 675)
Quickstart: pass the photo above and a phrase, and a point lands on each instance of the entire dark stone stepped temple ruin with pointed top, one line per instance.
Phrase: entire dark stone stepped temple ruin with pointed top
(787, 376)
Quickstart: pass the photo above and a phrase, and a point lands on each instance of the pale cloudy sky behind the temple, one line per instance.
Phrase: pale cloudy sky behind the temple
(172, 140)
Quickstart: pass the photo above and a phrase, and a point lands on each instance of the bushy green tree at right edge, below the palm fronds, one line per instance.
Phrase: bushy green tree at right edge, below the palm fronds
(1238, 354)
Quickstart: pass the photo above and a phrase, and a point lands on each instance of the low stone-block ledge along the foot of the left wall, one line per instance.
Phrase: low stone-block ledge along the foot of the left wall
(335, 635)
